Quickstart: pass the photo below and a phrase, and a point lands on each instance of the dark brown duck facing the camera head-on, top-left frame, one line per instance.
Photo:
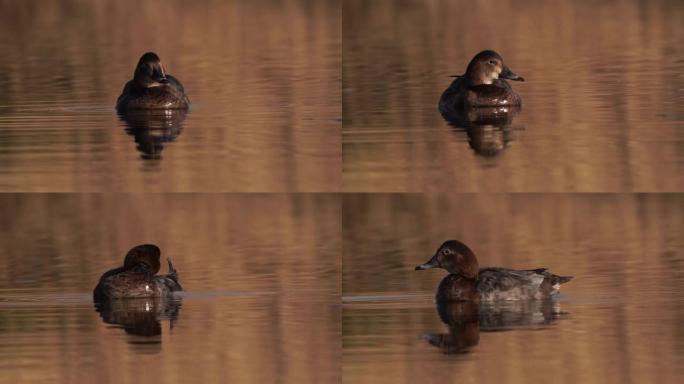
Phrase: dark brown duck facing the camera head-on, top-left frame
(152, 88)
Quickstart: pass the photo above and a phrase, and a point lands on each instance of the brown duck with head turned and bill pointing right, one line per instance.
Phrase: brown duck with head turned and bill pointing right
(483, 85)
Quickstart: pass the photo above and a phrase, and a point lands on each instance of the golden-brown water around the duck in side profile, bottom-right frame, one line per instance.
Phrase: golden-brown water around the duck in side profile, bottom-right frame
(619, 321)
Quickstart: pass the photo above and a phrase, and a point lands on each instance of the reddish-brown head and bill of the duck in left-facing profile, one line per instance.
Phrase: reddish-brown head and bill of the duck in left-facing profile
(456, 258)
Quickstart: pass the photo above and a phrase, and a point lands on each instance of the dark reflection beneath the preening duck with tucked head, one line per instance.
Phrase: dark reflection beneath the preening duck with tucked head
(140, 317)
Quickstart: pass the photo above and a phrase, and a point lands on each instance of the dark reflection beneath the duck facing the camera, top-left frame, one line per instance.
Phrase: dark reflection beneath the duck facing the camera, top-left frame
(153, 128)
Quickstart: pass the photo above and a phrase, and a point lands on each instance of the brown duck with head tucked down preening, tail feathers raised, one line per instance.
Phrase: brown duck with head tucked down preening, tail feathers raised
(138, 278)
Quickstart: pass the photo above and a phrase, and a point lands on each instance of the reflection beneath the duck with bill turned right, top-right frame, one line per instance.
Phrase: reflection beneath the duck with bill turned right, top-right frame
(489, 129)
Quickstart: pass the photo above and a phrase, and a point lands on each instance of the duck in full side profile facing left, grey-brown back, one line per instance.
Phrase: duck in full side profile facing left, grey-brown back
(468, 282)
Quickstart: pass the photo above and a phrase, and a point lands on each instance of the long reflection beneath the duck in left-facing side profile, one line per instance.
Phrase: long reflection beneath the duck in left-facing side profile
(466, 319)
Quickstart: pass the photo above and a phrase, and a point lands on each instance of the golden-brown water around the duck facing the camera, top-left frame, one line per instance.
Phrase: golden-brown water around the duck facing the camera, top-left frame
(263, 77)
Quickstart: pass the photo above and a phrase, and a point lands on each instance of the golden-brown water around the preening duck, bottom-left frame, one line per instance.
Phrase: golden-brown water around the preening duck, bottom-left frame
(262, 282)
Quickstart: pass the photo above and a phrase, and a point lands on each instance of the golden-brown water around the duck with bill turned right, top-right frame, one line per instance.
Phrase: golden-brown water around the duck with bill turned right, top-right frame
(602, 104)
